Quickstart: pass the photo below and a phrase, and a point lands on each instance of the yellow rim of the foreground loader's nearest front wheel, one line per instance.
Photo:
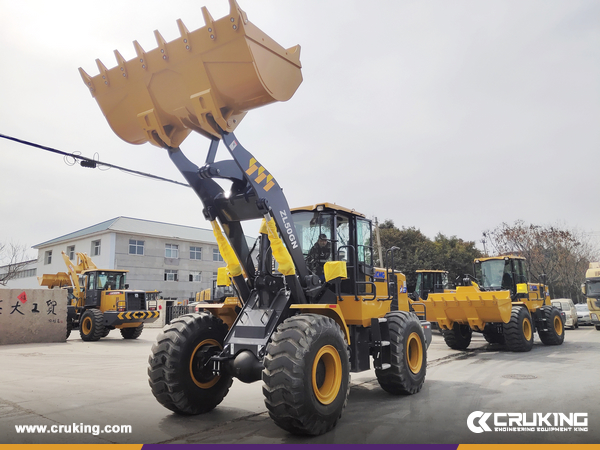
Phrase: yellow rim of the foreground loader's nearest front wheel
(327, 374)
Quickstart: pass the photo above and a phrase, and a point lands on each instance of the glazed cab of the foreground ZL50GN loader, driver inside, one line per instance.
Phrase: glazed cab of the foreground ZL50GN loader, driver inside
(348, 237)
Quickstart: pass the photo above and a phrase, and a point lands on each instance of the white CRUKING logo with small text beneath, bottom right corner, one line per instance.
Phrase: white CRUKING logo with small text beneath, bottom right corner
(479, 422)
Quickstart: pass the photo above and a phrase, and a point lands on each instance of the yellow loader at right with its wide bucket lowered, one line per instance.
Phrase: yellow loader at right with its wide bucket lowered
(498, 302)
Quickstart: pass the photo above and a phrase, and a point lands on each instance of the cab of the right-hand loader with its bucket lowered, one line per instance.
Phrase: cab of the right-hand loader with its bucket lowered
(501, 273)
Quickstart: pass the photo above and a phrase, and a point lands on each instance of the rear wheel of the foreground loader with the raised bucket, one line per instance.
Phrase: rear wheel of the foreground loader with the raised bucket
(408, 355)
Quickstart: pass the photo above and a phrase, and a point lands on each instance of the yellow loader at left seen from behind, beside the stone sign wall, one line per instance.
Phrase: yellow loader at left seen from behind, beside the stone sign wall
(99, 300)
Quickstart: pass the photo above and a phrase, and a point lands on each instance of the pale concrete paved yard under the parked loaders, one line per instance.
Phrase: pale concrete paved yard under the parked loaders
(105, 383)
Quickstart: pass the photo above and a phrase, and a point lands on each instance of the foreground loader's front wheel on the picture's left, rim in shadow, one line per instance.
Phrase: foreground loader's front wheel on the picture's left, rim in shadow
(176, 373)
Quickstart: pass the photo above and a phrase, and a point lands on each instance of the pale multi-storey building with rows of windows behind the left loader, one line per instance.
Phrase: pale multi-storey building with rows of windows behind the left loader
(174, 259)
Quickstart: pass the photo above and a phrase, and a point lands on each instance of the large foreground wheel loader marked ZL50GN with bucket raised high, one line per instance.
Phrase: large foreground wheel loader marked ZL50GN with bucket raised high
(302, 329)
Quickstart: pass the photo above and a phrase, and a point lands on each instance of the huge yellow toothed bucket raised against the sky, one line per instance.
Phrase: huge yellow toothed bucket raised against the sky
(205, 80)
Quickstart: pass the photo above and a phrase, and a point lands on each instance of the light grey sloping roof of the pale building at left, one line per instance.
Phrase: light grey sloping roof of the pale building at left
(139, 227)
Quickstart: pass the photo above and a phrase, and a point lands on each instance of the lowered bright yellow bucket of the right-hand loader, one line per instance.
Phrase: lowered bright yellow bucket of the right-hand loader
(469, 305)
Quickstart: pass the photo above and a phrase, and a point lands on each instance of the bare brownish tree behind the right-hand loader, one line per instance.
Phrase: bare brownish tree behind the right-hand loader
(556, 254)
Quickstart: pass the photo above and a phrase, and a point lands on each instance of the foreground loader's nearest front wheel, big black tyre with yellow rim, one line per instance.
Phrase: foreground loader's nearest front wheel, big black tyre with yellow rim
(307, 374)
